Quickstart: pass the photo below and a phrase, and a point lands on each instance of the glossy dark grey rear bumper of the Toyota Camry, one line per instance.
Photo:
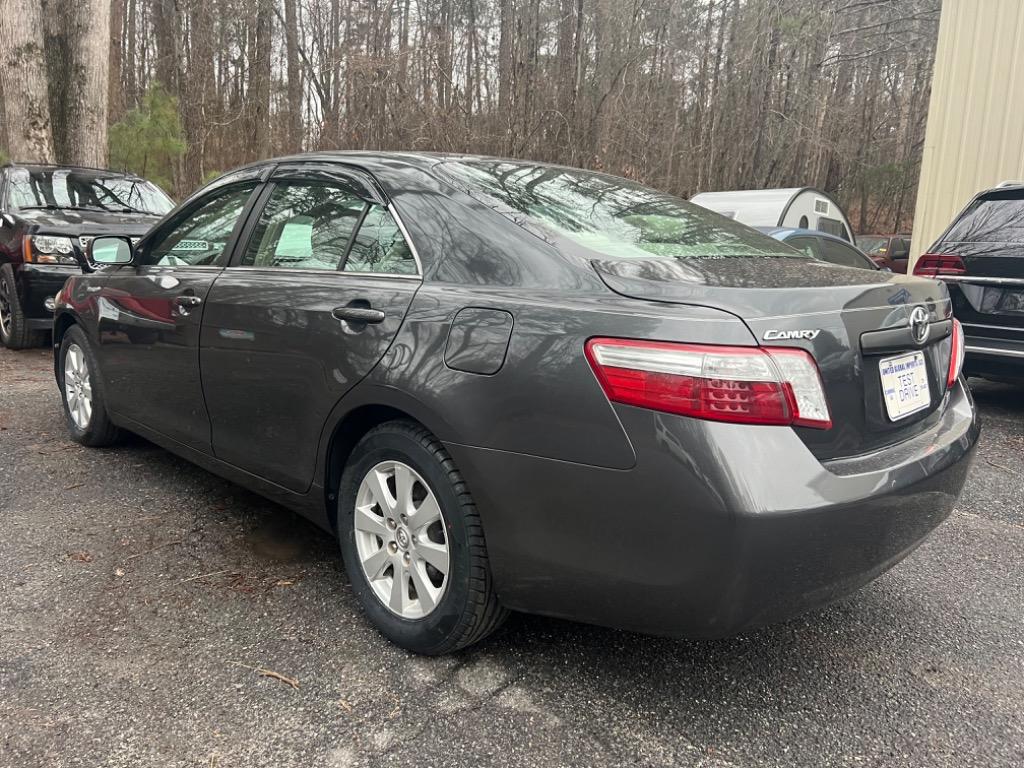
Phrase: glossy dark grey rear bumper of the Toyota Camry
(717, 529)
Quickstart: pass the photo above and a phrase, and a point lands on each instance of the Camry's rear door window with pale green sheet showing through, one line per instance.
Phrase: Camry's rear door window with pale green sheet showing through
(305, 226)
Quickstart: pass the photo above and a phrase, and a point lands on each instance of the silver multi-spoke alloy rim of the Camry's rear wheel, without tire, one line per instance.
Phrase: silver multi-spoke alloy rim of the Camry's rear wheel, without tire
(401, 539)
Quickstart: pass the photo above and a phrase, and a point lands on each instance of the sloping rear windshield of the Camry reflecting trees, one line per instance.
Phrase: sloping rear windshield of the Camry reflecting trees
(607, 215)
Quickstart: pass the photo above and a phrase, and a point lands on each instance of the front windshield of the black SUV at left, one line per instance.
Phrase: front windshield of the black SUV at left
(84, 190)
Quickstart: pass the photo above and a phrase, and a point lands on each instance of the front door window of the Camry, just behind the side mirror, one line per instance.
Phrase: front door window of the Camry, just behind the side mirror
(200, 237)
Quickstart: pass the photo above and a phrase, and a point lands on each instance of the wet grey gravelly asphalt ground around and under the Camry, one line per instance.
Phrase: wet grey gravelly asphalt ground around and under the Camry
(145, 602)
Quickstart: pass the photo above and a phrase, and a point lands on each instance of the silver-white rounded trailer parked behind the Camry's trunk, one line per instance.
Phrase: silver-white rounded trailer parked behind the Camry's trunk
(801, 208)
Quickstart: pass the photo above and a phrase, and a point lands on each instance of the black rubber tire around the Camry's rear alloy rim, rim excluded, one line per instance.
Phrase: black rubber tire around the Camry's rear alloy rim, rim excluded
(468, 610)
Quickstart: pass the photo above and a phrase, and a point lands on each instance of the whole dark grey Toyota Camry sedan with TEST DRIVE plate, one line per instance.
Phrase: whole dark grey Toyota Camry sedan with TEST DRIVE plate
(505, 386)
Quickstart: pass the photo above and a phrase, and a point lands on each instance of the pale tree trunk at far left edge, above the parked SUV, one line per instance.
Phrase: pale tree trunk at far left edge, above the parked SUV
(24, 83)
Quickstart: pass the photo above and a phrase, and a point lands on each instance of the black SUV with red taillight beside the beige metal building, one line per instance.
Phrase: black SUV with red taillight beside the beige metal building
(982, 260)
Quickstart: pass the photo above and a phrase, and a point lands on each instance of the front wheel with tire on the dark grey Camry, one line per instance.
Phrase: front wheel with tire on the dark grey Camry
(86, 408)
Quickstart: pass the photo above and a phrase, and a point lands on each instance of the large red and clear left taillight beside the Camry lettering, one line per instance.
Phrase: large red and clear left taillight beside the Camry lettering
(750, 386)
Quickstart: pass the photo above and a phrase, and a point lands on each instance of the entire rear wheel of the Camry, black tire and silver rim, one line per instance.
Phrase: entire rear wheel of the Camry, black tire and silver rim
(413, 544)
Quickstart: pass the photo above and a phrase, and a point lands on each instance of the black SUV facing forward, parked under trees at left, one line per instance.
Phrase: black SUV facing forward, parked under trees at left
(49, 215)
